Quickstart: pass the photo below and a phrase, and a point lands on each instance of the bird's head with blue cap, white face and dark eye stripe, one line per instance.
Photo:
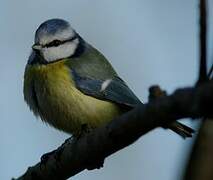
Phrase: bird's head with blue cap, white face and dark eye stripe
(55, 39)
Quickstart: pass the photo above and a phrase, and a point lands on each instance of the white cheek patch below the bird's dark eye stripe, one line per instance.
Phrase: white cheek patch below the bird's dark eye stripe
(59, 52)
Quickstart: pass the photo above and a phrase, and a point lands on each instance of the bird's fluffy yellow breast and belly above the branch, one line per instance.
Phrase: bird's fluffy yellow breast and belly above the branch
(60, 103)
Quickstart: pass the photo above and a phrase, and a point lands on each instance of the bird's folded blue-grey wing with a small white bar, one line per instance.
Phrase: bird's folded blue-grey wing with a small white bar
(114, 89)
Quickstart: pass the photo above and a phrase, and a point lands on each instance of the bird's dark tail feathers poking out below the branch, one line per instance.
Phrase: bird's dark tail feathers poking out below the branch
(181, 129)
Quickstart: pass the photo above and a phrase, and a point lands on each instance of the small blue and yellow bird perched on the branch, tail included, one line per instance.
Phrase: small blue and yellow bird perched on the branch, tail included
(71, 86)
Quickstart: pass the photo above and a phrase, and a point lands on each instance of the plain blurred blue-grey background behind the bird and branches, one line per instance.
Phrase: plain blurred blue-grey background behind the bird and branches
(147, 41)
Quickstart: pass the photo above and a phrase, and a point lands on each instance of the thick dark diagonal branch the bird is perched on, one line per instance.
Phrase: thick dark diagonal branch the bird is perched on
(89, 151)
